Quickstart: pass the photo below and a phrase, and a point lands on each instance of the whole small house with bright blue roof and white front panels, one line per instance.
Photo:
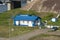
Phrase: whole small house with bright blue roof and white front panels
(27, 20)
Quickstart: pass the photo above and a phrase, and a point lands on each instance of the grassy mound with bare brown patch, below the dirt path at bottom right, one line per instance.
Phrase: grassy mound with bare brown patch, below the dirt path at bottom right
(46, 37)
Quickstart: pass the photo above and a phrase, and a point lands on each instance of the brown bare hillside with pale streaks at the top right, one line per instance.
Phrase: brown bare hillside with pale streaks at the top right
(45, 6)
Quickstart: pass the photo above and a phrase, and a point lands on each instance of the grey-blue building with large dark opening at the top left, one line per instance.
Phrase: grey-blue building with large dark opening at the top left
(11, 4)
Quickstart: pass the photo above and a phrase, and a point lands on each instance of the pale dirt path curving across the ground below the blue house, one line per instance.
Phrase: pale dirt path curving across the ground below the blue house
(31, 34)
